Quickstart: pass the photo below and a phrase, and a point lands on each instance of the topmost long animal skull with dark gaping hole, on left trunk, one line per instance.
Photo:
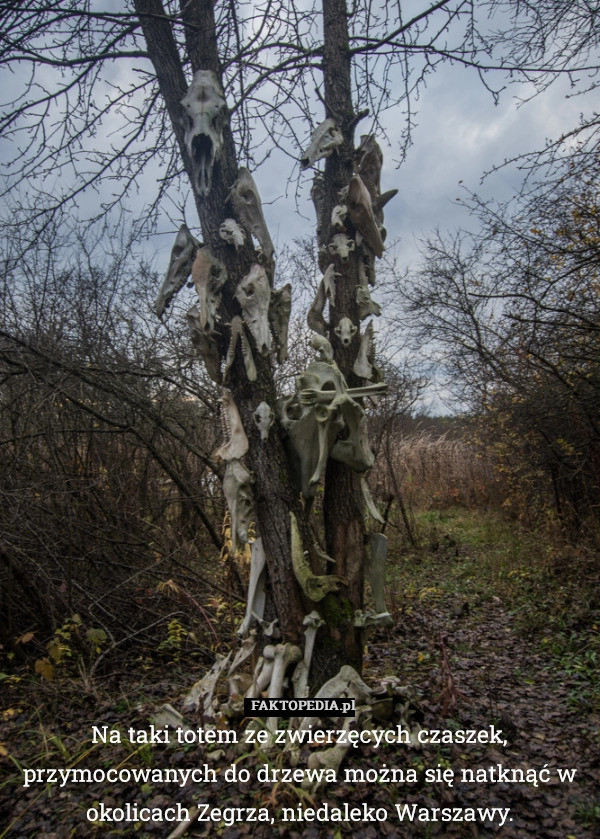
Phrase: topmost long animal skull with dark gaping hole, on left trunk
(205, 106)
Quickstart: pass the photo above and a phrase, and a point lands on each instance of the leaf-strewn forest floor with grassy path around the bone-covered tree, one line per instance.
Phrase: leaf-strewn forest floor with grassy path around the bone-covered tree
(492, 628)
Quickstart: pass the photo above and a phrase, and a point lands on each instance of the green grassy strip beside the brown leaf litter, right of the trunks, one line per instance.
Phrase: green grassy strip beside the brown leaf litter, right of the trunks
(551, 589)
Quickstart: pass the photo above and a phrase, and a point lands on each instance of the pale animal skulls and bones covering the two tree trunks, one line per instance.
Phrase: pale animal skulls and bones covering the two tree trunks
(324, 418)
